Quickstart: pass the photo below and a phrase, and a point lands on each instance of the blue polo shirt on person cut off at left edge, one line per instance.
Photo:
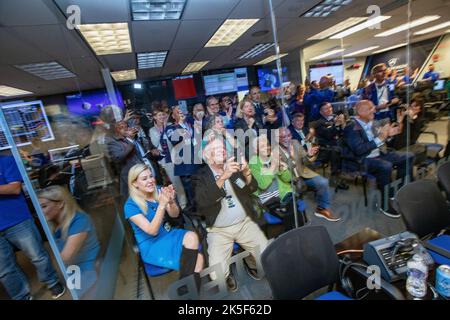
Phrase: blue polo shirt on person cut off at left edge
(14, 208)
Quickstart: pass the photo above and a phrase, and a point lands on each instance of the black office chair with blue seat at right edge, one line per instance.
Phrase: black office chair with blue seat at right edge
(425, 213)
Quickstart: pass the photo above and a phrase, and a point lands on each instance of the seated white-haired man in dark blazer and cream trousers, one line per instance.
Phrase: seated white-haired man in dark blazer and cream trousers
(222, 190)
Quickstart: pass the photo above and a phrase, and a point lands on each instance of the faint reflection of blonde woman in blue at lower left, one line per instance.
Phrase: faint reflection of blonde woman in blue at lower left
(74, 233)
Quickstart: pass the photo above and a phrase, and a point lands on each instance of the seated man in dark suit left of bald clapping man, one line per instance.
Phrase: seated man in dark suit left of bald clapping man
(328, 131)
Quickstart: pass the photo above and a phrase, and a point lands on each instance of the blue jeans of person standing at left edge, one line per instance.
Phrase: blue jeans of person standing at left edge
(25, 237)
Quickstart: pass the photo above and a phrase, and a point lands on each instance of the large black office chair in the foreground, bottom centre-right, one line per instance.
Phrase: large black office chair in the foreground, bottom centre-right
(304, 260)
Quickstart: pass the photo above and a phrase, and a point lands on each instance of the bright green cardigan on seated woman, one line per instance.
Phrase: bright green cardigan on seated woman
(265, 180)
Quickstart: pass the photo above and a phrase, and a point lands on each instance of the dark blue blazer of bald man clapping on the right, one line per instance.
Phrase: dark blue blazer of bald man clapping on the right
(356, 146)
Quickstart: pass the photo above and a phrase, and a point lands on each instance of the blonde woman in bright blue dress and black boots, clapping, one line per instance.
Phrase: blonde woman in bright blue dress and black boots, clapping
(159, 243)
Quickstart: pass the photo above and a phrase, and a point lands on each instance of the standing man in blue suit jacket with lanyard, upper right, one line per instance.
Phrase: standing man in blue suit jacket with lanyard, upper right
(381, 94)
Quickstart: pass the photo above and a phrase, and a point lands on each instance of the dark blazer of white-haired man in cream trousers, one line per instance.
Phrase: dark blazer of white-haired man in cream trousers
(208, 195)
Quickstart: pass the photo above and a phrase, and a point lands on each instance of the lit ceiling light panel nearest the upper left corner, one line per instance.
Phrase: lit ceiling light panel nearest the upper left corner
(107, 38)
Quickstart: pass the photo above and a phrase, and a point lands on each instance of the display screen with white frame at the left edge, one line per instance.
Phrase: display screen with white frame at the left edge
(26, 120)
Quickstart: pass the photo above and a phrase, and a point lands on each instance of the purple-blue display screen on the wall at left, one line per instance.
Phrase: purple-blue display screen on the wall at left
(91, 103)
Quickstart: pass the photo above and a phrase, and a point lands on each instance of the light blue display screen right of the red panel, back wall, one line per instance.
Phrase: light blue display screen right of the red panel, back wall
(236, 80)
